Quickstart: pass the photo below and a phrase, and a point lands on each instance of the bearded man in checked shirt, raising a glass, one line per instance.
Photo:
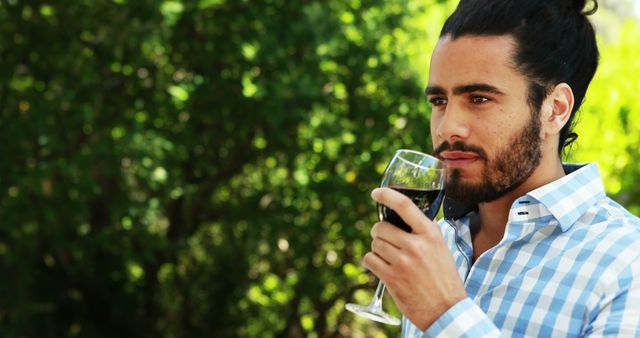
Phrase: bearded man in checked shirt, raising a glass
(529, 246)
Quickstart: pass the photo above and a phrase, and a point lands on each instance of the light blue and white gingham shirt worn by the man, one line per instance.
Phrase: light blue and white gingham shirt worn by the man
(567, 266)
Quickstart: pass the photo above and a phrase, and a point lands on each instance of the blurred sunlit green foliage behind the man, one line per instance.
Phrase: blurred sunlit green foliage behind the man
(202, 168)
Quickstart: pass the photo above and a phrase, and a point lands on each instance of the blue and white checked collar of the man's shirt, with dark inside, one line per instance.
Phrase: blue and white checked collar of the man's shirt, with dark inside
(567, 198)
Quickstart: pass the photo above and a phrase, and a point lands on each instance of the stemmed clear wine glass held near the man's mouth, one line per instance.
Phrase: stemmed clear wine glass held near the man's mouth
(421, 178)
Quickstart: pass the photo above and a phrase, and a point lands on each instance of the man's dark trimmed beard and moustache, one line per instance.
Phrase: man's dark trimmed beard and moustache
(511, 166)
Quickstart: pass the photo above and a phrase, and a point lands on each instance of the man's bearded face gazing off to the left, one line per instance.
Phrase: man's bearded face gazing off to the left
(481, 123)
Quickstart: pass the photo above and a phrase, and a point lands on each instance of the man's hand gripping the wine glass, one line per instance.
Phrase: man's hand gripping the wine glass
(417, 268)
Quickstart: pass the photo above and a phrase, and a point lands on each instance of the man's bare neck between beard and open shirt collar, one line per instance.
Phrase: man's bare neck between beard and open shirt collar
(492, 216)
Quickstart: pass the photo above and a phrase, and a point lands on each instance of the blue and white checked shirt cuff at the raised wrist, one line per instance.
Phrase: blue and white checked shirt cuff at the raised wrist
(465, 319)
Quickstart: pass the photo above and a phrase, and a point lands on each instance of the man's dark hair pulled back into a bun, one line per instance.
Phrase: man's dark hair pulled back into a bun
(555, 43)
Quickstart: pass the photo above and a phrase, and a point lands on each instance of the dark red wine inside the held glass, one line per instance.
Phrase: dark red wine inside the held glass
(427, 200)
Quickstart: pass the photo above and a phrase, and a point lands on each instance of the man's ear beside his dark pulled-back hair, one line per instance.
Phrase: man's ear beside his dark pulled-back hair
(556, 109)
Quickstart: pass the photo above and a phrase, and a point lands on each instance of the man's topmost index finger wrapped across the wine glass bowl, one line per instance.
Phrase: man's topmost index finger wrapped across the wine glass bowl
(404, 207)
